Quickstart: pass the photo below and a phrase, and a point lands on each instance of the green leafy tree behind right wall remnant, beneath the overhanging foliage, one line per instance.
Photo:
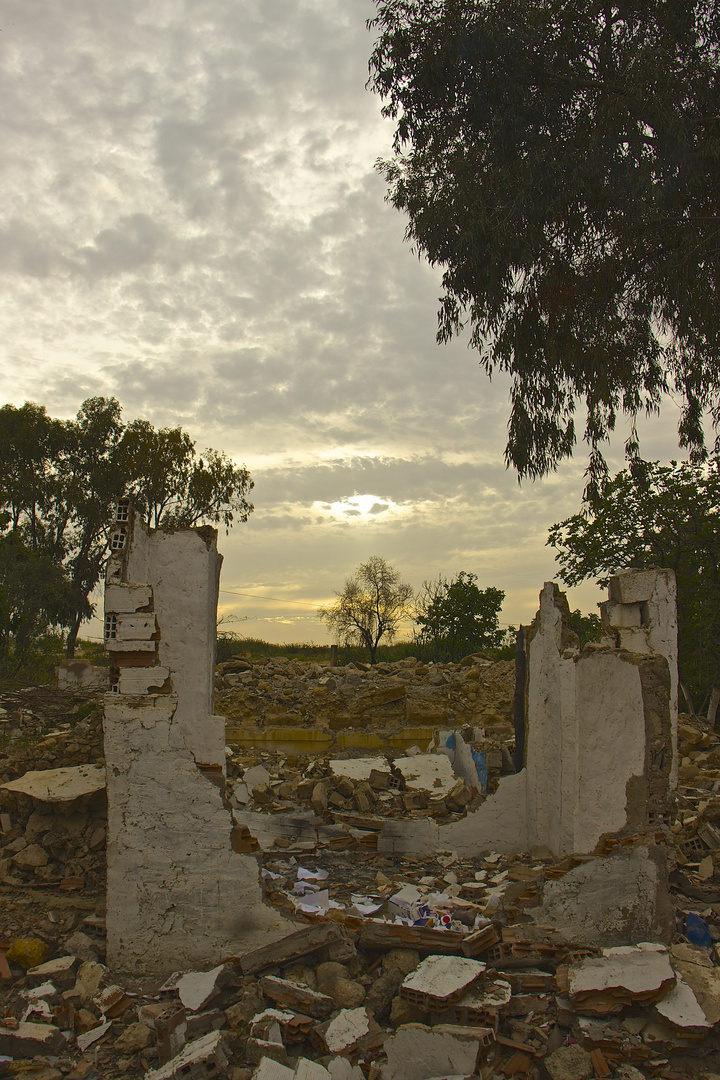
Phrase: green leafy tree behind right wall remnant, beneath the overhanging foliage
(653, 515)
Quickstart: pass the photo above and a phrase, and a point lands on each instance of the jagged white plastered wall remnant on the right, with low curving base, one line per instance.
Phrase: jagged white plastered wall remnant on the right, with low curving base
(601, 733)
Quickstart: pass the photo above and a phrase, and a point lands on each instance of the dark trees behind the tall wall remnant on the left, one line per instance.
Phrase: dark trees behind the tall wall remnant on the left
(59, 483)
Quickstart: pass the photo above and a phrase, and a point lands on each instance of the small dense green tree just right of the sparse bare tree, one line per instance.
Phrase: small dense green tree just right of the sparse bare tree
(457, 618)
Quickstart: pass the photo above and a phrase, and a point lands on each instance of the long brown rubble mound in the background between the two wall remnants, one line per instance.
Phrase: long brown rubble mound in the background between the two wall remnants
(263, 692)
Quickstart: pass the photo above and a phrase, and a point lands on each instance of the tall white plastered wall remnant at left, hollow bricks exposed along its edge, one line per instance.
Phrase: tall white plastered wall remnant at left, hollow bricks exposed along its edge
(178, 893)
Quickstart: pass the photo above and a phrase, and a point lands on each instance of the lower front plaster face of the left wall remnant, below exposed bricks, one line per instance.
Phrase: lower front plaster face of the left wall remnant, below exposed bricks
(179, 896)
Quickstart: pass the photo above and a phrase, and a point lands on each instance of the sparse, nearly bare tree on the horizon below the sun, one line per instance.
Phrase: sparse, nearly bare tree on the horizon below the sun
(372, 605)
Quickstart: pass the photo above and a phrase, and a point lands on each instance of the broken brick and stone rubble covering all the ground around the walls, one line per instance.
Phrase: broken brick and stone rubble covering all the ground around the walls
(392, 969)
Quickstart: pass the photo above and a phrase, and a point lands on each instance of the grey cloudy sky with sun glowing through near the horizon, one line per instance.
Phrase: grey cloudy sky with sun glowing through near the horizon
(192, 222)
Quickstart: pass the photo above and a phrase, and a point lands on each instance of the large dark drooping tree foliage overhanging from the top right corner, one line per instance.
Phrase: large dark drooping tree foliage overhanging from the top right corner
(561, 160)
